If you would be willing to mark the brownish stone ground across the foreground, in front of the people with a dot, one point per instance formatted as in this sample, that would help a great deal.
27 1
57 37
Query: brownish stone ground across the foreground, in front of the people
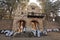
50 36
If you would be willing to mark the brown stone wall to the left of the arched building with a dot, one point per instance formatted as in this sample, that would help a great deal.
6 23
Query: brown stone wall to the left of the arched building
6 24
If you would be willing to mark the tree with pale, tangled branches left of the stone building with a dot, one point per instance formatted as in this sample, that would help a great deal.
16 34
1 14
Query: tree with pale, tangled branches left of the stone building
8 5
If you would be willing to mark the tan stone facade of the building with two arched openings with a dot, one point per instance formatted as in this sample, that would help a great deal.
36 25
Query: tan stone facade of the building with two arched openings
23 15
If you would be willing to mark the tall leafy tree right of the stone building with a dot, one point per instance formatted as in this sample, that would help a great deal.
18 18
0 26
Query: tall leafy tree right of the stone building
51 7
